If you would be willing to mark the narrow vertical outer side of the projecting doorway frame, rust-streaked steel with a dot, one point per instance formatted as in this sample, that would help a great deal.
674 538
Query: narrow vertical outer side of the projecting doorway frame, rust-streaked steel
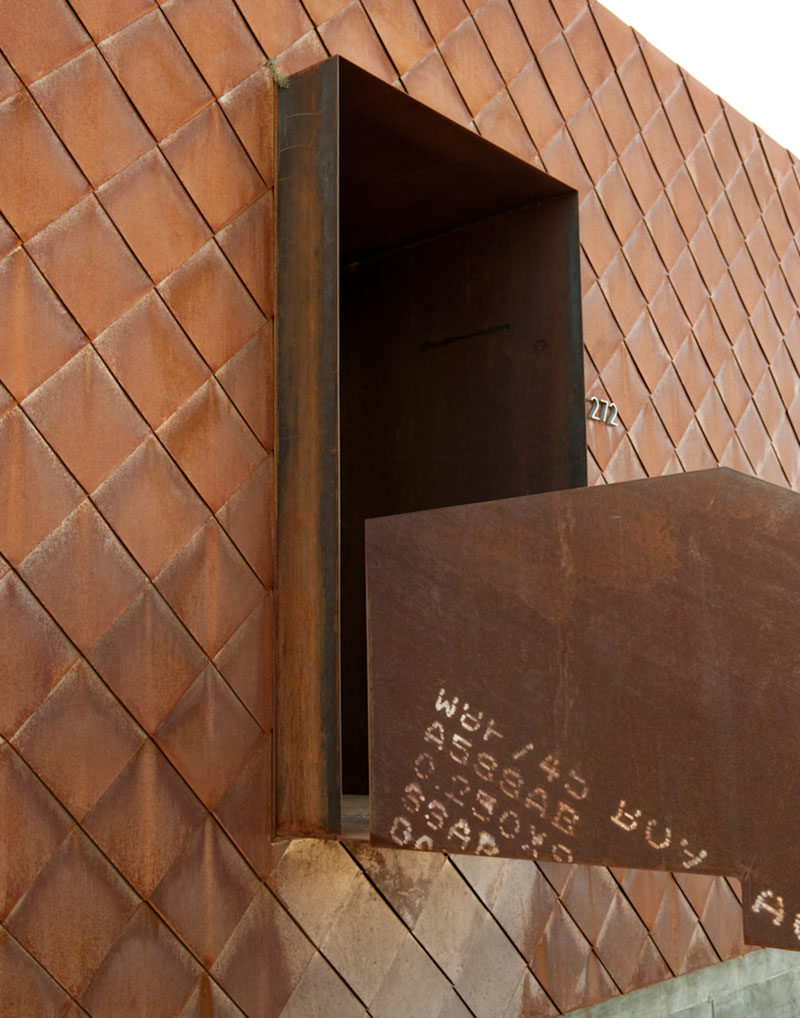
308 768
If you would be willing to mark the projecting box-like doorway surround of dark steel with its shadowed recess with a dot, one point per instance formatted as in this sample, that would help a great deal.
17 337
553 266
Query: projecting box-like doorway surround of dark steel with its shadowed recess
430 355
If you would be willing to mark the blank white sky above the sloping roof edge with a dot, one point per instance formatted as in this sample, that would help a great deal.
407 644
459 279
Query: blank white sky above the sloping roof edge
747 51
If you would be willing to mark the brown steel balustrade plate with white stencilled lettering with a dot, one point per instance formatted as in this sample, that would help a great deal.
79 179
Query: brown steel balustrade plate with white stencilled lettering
606 675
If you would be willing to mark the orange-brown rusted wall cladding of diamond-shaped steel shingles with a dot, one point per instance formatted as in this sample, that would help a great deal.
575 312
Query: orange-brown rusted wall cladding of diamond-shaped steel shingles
137 486
